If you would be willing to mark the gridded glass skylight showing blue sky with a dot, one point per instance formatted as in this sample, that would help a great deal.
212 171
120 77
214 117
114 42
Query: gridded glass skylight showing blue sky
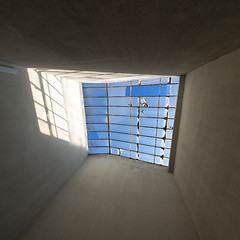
132 119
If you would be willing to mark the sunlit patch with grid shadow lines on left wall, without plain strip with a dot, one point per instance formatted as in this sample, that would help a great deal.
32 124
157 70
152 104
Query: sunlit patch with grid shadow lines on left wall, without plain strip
49 104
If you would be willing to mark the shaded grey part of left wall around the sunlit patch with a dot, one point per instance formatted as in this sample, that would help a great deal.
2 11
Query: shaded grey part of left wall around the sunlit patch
33 166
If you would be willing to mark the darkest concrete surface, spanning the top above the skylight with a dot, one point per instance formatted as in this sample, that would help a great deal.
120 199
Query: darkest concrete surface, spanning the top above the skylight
143 37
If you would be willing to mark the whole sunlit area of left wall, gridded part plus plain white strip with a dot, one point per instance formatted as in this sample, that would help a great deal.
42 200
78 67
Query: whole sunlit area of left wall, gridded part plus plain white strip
59 107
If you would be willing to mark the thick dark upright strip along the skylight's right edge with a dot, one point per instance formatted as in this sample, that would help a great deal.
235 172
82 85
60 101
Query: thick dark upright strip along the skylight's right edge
177 123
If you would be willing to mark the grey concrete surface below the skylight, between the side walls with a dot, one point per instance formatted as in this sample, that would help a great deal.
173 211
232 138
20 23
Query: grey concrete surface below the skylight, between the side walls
111 197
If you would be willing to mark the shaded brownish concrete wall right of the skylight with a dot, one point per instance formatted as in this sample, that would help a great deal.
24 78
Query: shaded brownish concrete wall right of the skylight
207 161
